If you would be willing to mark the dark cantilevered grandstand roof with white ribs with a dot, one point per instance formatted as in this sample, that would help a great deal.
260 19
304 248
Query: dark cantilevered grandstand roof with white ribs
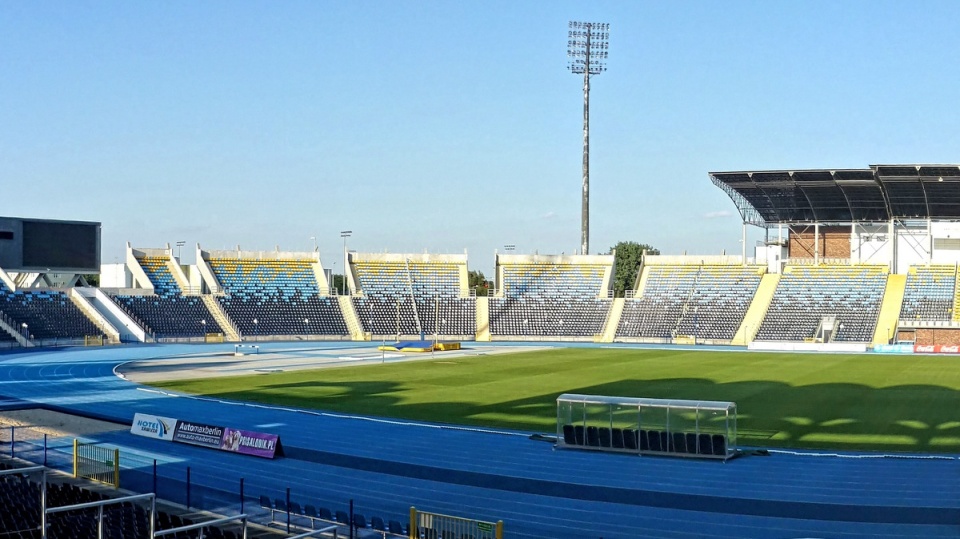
878 193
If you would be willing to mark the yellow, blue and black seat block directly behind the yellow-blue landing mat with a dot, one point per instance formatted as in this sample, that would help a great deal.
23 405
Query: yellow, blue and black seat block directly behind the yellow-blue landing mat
384 305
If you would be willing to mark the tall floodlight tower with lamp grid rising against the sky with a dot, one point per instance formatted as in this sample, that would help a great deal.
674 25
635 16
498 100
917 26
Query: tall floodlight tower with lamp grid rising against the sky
587 44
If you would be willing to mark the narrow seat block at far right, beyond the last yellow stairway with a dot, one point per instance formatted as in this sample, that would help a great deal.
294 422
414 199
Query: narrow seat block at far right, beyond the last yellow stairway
929 293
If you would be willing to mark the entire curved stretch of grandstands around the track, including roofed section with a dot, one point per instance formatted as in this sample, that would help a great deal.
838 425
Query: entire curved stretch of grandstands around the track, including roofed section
854 257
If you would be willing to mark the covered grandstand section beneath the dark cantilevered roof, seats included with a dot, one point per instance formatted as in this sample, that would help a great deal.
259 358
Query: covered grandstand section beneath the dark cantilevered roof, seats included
860 255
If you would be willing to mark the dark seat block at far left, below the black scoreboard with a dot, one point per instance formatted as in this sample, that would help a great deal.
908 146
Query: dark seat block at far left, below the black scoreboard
49 314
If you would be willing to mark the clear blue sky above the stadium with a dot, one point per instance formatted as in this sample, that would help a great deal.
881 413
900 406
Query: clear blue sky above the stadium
445 126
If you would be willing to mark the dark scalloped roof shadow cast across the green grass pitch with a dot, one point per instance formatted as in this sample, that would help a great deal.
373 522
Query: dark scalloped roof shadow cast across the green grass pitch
840 416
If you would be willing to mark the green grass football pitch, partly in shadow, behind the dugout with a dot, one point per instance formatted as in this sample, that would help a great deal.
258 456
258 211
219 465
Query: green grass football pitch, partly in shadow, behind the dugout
804 401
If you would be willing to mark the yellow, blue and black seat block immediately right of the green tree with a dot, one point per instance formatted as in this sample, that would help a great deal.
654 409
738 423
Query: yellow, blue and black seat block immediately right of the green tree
707 301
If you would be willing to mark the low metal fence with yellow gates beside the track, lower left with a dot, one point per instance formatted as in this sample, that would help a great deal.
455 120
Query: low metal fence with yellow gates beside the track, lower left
255 499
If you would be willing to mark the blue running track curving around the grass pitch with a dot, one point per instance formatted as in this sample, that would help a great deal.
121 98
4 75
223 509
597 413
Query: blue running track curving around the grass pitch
386 467
